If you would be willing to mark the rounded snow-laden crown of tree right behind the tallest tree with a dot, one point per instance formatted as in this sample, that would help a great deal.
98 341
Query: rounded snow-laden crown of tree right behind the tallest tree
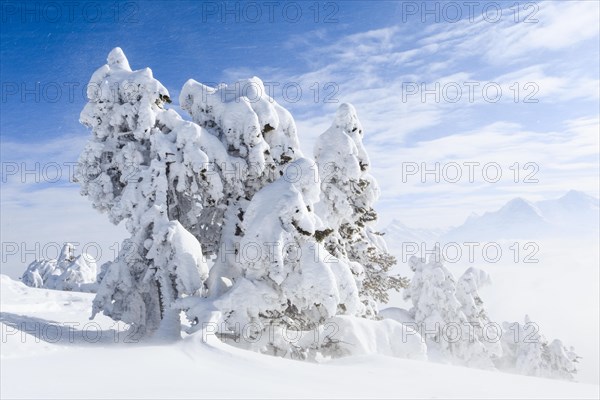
253 126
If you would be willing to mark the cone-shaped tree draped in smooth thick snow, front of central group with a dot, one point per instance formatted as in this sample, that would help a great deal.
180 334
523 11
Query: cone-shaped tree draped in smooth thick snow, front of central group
288 280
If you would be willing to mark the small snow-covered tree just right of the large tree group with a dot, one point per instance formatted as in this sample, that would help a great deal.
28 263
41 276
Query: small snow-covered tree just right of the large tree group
439 316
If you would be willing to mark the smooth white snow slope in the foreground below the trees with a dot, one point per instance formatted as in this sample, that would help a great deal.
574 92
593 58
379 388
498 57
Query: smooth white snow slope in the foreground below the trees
48 364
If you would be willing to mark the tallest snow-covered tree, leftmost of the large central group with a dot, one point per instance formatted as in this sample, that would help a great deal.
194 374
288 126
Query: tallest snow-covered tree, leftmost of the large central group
143 165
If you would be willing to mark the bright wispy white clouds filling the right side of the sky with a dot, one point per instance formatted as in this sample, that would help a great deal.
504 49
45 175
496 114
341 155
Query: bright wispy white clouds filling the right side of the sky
553 62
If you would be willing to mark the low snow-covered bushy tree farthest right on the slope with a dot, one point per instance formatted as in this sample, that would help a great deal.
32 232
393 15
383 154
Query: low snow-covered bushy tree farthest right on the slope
526 351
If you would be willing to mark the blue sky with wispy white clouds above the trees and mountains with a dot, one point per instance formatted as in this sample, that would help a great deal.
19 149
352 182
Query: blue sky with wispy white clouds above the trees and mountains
372 54
